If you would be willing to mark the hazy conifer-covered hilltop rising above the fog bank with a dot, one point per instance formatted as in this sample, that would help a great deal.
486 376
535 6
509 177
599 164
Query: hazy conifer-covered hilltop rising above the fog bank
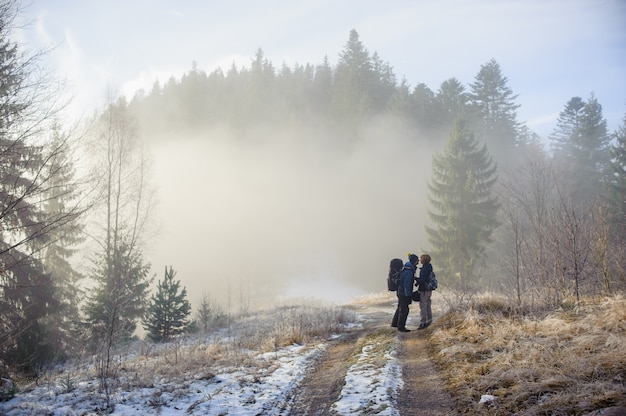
340 101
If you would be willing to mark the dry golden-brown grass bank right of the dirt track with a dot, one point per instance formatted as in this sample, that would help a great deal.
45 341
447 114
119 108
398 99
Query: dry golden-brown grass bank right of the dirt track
568 362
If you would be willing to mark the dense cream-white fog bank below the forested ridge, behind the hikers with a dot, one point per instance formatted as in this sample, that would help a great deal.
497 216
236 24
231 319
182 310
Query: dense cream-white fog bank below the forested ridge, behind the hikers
255 221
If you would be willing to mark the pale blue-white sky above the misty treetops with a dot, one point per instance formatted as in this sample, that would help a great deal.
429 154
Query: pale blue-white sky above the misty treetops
550 50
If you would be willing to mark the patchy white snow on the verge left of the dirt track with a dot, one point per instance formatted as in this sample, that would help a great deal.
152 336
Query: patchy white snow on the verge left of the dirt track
242 392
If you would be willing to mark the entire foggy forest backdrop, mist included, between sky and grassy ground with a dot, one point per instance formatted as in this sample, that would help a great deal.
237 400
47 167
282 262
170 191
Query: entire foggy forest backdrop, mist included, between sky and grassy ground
257 185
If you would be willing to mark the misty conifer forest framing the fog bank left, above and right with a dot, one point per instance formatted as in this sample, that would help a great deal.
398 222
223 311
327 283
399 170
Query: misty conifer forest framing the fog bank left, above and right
505 213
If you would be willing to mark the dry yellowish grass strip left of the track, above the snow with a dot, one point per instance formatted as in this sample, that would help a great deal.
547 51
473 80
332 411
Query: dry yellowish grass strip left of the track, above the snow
196 356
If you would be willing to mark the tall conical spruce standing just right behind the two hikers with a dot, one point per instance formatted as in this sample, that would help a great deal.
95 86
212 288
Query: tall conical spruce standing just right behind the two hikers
463 209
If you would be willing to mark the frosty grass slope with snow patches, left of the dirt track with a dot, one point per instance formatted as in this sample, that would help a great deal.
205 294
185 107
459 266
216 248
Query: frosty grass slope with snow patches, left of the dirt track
247 369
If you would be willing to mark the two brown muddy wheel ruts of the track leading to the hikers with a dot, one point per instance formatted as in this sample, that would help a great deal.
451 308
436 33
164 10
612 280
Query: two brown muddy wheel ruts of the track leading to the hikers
422 392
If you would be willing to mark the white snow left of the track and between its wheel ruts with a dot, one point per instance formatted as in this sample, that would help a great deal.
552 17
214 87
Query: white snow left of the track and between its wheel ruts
265 387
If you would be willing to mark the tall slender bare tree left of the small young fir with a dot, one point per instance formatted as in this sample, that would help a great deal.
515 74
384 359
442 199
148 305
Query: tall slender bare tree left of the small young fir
120 229
